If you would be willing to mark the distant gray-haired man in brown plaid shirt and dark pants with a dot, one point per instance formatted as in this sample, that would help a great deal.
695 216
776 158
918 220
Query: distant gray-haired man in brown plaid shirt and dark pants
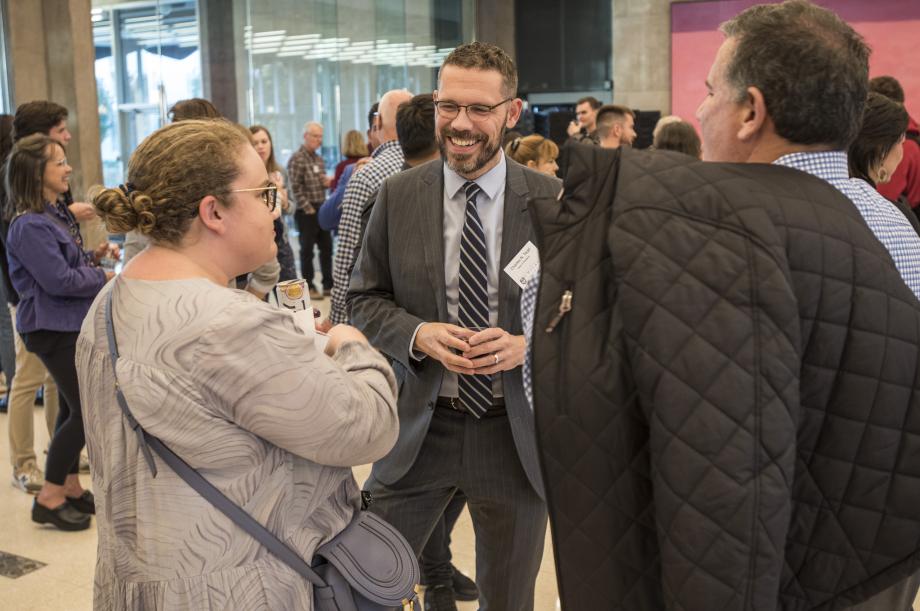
307 173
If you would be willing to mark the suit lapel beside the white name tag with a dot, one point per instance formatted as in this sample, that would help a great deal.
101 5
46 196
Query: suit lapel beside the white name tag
515 233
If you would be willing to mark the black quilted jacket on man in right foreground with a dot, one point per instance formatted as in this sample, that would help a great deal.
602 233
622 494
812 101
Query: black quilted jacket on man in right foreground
728 416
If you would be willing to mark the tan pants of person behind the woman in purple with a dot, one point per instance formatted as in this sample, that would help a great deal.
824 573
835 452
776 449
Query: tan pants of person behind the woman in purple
30 375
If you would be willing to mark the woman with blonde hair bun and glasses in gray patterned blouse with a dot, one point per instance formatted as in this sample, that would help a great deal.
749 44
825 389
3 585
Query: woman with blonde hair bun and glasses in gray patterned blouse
230 384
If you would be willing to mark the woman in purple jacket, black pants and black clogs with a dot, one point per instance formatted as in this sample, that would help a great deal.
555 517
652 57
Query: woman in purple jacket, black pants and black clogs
56 280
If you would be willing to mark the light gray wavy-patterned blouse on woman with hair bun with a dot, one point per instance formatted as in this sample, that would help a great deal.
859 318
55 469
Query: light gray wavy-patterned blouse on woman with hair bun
235 389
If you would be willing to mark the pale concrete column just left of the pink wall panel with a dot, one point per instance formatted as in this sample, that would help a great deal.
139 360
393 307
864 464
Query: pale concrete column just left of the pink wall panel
642 54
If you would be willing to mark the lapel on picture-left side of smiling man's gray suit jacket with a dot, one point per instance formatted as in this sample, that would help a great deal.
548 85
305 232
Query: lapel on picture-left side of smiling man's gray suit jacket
430 196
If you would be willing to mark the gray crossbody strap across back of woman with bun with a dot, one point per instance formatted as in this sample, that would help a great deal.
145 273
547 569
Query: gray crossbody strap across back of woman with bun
196 480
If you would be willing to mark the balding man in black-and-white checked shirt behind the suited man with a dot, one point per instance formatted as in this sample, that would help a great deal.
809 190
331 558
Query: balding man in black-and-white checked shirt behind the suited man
386 160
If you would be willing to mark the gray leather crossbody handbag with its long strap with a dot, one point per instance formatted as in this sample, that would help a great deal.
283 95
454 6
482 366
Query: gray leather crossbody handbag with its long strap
369 566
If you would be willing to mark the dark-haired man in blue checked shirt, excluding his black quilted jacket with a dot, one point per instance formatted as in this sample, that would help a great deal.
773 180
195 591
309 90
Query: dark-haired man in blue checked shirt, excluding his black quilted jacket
814 114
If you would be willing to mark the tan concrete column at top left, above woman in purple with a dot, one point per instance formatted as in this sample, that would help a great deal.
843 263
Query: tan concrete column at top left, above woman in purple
52 57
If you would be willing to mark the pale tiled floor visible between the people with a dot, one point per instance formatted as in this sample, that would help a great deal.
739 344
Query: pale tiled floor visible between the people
65 580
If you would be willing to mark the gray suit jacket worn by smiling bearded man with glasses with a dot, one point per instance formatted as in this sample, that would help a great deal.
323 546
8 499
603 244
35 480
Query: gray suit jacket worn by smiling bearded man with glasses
398 283
